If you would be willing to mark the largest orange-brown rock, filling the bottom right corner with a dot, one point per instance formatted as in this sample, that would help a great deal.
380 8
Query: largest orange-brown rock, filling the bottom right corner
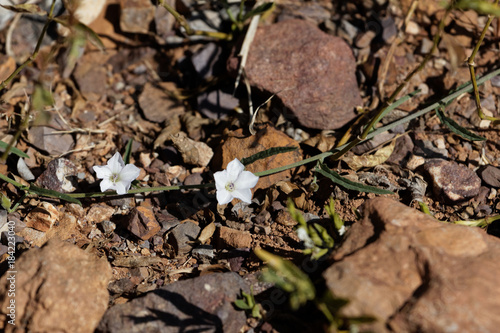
416 274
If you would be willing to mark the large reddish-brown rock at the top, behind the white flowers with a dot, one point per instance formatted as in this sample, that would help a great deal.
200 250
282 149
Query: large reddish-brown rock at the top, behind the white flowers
313 73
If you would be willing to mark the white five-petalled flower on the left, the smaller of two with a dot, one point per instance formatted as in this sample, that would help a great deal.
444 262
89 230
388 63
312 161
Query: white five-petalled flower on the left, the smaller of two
116 175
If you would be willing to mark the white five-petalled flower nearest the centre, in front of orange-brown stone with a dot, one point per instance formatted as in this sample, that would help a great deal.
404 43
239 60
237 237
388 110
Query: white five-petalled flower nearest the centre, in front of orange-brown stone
234 183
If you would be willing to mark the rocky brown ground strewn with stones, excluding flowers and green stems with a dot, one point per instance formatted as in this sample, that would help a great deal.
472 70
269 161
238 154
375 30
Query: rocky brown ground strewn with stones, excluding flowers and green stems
176 261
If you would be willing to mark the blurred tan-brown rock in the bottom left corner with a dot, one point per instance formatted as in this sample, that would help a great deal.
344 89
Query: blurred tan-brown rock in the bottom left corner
58 288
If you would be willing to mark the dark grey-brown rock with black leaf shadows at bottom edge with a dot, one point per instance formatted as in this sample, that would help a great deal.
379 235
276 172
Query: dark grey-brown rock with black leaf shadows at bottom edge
202 304
